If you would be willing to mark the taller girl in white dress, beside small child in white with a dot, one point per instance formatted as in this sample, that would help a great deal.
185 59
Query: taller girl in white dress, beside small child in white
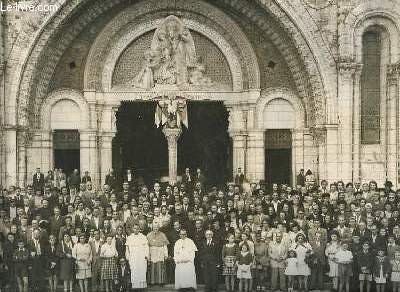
303 251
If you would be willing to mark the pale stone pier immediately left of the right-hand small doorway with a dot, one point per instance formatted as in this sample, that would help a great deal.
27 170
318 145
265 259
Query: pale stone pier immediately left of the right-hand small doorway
255 155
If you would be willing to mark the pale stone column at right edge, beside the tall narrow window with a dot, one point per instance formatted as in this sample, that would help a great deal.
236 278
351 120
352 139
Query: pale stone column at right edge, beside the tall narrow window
392 122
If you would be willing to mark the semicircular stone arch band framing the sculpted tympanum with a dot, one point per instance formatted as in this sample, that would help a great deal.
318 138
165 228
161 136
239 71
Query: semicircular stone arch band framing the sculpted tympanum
202 18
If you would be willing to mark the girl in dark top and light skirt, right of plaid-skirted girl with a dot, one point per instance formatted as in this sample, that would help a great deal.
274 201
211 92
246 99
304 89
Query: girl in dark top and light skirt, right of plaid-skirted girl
244 261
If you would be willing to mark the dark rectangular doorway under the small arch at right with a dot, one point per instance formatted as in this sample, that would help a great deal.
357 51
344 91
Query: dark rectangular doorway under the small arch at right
278 156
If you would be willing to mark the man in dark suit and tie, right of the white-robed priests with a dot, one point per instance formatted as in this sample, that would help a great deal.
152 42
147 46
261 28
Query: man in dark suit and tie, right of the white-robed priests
210 262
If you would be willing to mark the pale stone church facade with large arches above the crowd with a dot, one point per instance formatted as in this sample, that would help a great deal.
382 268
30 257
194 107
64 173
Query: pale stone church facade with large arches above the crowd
325 73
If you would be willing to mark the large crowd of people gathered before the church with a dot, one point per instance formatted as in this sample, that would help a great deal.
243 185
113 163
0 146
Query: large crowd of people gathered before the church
245 236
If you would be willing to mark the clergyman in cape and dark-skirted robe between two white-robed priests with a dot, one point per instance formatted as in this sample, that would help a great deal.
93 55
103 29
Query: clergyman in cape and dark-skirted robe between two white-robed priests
158 254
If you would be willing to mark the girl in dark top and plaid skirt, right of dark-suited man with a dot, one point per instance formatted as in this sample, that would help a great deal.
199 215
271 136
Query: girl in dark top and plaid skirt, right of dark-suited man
229 254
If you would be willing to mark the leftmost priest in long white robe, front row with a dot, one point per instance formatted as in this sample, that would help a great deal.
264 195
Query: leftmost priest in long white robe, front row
137 254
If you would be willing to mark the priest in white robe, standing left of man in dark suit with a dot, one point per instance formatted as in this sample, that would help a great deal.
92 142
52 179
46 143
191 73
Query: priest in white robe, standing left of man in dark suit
184 253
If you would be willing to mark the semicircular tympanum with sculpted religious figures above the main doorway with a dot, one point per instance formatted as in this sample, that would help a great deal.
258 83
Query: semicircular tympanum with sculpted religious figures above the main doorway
172 56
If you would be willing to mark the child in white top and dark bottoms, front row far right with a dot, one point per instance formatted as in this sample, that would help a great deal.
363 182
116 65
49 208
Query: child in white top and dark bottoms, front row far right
344 258
